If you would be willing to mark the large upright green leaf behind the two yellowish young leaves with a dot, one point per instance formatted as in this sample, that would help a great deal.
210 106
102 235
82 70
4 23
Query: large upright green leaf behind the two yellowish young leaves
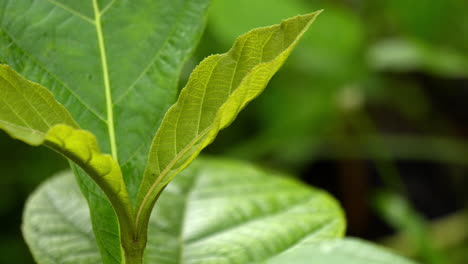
115 66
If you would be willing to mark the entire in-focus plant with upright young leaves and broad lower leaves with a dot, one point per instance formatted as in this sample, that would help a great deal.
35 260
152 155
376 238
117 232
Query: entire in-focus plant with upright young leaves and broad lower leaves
111 69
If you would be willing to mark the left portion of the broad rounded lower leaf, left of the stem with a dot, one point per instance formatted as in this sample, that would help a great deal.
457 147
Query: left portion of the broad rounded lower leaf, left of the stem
57 225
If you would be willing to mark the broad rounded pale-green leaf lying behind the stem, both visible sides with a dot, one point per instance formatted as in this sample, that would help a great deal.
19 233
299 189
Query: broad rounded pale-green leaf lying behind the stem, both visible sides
215 211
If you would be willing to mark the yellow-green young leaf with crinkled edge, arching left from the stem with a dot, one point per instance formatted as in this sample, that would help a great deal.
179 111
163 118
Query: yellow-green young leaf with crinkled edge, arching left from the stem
30 113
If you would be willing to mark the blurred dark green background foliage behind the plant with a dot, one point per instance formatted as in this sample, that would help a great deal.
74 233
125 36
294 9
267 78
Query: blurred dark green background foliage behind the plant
371 106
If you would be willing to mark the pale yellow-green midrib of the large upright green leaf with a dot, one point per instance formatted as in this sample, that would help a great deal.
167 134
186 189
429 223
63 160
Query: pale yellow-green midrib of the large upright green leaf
105 73
